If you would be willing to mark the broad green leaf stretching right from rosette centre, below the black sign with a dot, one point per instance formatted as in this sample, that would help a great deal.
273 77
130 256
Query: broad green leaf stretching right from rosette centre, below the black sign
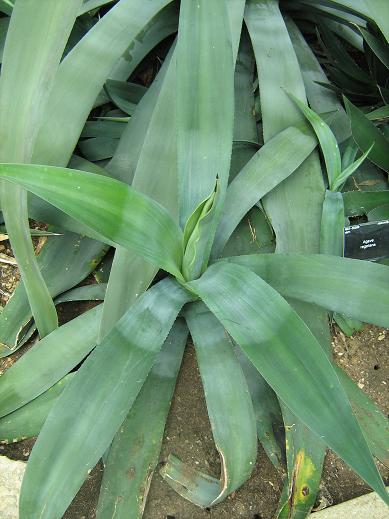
357 288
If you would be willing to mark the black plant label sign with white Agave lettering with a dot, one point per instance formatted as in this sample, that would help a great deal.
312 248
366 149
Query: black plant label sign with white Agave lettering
369 241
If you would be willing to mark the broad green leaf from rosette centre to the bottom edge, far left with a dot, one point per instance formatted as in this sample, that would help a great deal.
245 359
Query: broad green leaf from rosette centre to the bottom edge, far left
92 407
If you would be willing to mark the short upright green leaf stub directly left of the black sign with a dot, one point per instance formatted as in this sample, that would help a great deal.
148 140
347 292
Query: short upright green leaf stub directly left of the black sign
332 224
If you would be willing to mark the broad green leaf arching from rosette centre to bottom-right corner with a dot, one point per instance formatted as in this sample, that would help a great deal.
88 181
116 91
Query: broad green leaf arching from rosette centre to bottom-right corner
271 334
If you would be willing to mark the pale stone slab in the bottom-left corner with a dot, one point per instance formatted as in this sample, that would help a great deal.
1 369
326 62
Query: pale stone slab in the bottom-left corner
11 475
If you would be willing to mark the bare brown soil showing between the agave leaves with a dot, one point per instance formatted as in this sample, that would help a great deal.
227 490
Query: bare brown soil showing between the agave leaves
365 357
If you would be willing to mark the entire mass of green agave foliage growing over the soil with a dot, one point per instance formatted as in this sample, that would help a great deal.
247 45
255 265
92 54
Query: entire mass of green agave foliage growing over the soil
183 176
